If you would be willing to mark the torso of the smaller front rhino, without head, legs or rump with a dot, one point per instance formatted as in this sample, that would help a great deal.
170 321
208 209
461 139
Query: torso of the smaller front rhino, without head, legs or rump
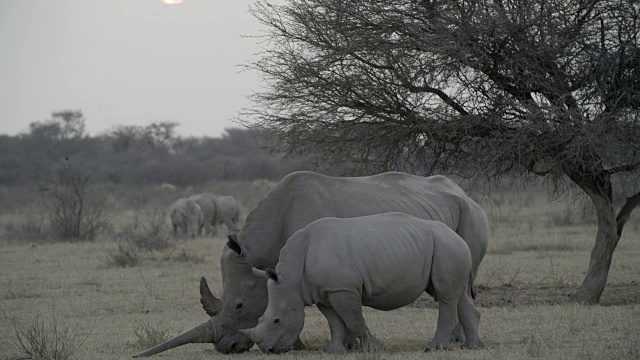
387 257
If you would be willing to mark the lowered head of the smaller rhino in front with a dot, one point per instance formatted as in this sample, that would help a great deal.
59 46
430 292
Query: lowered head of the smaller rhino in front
282 322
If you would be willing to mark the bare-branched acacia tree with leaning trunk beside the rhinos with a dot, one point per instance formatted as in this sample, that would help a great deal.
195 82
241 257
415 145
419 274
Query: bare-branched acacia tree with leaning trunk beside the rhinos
545 88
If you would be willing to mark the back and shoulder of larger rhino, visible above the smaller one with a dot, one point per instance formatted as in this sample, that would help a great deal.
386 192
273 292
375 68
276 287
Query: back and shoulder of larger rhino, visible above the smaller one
303 197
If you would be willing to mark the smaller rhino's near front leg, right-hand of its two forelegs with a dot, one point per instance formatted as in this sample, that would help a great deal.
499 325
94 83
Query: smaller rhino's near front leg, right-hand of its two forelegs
348 306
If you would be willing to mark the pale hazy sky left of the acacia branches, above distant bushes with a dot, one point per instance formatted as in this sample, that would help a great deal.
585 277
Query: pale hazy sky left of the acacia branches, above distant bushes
126 62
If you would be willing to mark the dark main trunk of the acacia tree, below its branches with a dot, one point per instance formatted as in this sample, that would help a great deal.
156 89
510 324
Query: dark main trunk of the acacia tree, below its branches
602 253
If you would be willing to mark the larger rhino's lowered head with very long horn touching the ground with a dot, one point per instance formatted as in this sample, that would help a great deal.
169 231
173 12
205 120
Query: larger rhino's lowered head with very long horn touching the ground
244 299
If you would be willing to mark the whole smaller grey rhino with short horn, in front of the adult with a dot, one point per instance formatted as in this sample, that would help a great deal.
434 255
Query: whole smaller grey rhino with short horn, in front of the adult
382 261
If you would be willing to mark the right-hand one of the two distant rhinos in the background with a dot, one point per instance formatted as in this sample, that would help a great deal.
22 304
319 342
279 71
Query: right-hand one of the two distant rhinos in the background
218 209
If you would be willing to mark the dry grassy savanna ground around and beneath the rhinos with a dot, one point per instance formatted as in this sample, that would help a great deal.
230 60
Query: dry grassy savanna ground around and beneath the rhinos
538 255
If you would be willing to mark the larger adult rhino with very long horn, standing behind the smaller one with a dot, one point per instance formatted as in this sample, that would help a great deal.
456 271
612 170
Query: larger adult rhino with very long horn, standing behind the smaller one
296 201
